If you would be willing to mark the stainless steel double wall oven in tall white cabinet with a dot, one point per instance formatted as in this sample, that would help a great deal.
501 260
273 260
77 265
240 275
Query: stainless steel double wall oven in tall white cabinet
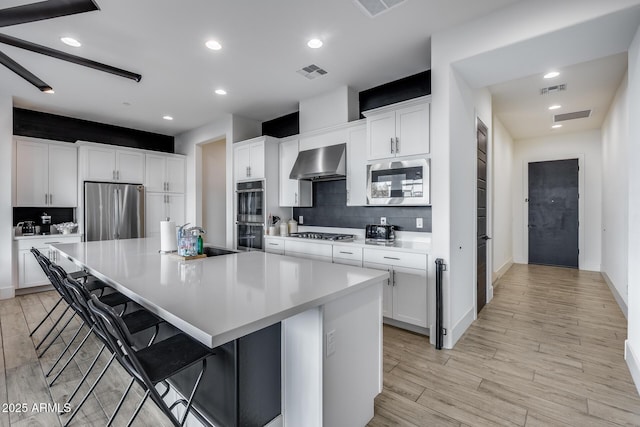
250 215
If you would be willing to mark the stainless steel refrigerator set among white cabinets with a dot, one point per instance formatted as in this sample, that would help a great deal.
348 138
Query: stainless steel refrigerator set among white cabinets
113 211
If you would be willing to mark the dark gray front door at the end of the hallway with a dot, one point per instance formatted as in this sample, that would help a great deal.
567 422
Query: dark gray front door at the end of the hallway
553 213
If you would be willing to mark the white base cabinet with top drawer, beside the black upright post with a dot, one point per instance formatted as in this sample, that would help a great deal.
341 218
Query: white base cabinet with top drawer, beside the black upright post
405 295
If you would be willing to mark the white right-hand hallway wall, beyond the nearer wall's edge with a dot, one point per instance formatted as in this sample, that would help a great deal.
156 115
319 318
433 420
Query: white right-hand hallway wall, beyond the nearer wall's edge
615 200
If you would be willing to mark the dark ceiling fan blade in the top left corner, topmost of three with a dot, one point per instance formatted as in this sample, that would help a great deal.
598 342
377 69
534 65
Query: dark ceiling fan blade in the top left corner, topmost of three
44 10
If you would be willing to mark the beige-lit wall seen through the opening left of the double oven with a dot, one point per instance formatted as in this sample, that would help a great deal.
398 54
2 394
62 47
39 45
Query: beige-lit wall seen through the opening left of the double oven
214 187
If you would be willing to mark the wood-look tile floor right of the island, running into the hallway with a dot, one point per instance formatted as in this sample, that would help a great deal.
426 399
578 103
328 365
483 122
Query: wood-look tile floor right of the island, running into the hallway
548 350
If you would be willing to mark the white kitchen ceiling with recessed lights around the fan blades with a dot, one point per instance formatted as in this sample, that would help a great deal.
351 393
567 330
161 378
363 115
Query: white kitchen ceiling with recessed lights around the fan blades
264 43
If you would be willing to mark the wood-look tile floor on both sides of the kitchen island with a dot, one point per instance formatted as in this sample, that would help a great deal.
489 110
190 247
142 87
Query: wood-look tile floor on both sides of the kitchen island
547 351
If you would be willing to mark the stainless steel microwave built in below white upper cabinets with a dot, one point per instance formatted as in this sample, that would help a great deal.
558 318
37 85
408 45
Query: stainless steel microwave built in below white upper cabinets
403 182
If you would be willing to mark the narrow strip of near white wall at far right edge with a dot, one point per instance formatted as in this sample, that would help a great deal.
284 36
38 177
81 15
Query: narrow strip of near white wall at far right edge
632 353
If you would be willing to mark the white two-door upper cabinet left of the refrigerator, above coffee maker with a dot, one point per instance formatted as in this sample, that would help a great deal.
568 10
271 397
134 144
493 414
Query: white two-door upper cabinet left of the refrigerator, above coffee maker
46 174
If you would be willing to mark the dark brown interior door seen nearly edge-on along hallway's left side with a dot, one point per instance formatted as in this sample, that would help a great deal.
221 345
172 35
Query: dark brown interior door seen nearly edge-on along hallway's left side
481 217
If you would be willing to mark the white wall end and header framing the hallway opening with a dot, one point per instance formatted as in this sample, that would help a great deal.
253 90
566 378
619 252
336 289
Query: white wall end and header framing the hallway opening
453 122
